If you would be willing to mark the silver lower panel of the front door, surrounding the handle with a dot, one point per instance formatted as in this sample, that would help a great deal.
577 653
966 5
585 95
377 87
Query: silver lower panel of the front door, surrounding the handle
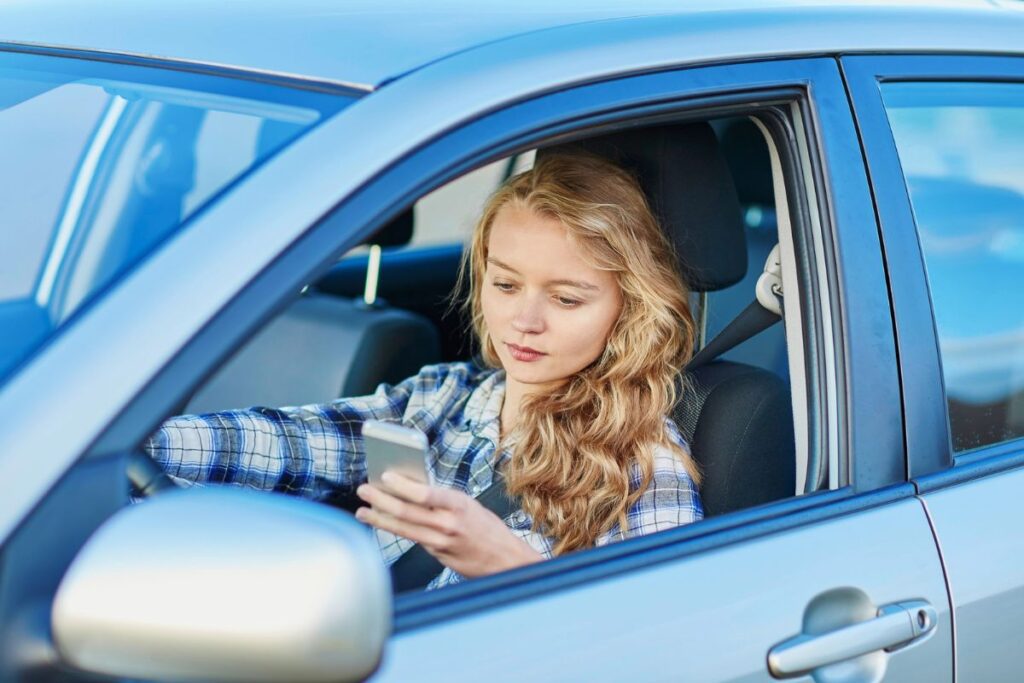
710 618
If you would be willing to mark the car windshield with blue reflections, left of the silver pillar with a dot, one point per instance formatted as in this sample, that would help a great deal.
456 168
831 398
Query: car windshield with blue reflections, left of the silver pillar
100 163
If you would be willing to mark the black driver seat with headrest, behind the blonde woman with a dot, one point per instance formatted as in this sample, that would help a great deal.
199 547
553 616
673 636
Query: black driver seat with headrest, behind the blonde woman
737 418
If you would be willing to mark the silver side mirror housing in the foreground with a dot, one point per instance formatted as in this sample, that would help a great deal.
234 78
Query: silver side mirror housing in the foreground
226 585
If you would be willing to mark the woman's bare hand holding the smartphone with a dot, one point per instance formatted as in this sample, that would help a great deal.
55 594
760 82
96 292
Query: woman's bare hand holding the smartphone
451 526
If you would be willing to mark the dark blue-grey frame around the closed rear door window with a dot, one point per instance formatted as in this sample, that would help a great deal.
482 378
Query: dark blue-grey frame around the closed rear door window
931 460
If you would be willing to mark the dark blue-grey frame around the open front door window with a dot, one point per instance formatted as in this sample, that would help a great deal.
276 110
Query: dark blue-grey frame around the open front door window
863 353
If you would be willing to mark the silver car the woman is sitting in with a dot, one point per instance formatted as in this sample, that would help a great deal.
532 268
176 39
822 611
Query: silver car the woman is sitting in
211 206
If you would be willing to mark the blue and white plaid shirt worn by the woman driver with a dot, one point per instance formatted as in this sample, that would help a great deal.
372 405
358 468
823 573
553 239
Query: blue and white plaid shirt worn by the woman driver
315 451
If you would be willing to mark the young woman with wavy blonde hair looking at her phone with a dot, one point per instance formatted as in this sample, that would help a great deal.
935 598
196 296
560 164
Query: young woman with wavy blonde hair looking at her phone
583 326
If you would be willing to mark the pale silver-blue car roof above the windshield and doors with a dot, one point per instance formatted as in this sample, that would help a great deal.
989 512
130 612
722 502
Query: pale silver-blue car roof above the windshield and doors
365 45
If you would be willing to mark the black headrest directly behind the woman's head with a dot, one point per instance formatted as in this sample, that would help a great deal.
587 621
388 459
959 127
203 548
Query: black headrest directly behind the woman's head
691 190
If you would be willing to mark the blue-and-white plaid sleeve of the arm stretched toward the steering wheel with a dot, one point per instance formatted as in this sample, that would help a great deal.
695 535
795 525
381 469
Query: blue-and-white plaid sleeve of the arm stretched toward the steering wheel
309 451
